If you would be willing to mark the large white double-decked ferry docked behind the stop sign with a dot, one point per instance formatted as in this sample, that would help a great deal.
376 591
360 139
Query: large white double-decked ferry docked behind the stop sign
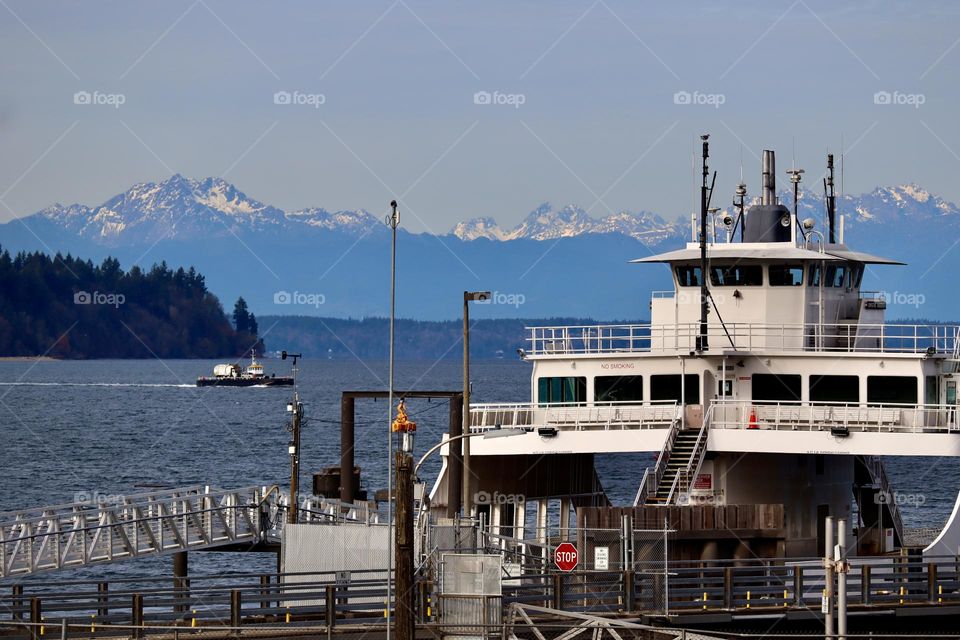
766 391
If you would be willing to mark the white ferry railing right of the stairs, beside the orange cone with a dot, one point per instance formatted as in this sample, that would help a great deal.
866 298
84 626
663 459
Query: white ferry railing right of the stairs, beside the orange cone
820 416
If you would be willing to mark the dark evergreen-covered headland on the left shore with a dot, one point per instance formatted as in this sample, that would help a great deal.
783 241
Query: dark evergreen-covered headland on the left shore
67 307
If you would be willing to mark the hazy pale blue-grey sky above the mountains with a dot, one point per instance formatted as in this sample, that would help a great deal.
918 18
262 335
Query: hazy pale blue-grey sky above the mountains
598 122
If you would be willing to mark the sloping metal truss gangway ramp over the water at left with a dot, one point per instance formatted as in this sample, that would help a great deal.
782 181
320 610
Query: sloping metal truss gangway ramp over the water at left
126 527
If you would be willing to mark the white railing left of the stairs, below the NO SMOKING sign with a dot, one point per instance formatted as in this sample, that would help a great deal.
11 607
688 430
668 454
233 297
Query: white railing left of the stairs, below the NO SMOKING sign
574 416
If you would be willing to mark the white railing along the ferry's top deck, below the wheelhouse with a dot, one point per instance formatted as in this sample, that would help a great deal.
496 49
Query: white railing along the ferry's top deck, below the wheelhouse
644 338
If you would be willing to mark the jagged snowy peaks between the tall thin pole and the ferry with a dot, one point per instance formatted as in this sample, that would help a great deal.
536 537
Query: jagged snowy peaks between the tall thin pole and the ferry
543 223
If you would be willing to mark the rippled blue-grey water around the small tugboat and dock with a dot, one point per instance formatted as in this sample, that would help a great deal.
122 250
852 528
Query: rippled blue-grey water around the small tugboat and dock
115 427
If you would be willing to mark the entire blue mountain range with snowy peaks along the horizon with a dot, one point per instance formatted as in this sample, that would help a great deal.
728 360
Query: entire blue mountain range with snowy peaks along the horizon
556 261
